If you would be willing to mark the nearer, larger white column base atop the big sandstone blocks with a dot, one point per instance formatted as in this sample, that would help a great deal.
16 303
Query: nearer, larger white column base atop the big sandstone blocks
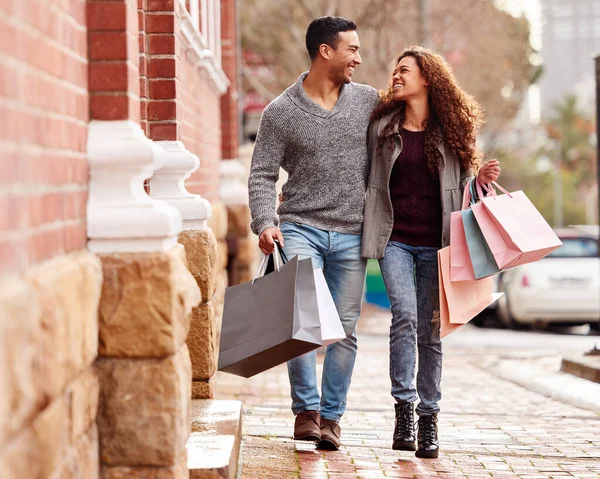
121 217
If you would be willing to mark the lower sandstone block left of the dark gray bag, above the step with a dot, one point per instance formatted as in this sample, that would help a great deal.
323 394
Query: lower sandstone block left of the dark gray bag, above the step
202 341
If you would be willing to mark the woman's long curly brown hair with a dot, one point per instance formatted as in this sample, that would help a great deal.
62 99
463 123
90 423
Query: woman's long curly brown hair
454 115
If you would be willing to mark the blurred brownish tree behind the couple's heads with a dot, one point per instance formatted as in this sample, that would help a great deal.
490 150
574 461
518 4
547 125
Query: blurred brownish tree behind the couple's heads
488 48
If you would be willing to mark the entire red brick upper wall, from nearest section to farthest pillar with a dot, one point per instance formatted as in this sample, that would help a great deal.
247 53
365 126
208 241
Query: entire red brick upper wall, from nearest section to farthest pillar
55 76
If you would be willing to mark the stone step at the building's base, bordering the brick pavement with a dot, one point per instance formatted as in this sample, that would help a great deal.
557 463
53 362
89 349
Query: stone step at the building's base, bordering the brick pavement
214 444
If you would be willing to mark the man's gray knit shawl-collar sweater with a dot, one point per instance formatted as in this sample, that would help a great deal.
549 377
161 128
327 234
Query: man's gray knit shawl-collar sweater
324 153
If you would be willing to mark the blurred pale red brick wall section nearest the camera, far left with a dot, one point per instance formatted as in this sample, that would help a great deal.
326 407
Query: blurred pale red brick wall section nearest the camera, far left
43 130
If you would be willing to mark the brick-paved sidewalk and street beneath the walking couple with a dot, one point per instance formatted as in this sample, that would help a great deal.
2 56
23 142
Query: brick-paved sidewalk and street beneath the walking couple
490 424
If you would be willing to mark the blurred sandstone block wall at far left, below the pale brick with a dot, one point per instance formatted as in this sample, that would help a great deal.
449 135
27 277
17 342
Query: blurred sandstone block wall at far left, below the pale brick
48 343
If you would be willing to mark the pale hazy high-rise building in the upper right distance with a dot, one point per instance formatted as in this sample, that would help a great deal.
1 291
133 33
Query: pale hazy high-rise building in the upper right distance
571 37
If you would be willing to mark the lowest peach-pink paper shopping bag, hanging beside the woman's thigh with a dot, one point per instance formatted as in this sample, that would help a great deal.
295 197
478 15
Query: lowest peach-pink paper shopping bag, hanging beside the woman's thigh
463 300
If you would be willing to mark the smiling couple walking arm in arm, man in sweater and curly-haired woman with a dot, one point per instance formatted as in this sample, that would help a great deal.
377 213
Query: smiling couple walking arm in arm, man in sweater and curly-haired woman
370 176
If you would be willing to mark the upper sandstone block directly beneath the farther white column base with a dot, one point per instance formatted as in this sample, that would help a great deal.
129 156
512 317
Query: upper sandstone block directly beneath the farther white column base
202 256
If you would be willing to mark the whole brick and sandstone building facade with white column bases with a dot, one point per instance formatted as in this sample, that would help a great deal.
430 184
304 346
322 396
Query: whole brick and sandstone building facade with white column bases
120 188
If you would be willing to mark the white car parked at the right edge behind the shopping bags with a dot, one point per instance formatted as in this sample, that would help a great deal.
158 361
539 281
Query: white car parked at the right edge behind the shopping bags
563 288
